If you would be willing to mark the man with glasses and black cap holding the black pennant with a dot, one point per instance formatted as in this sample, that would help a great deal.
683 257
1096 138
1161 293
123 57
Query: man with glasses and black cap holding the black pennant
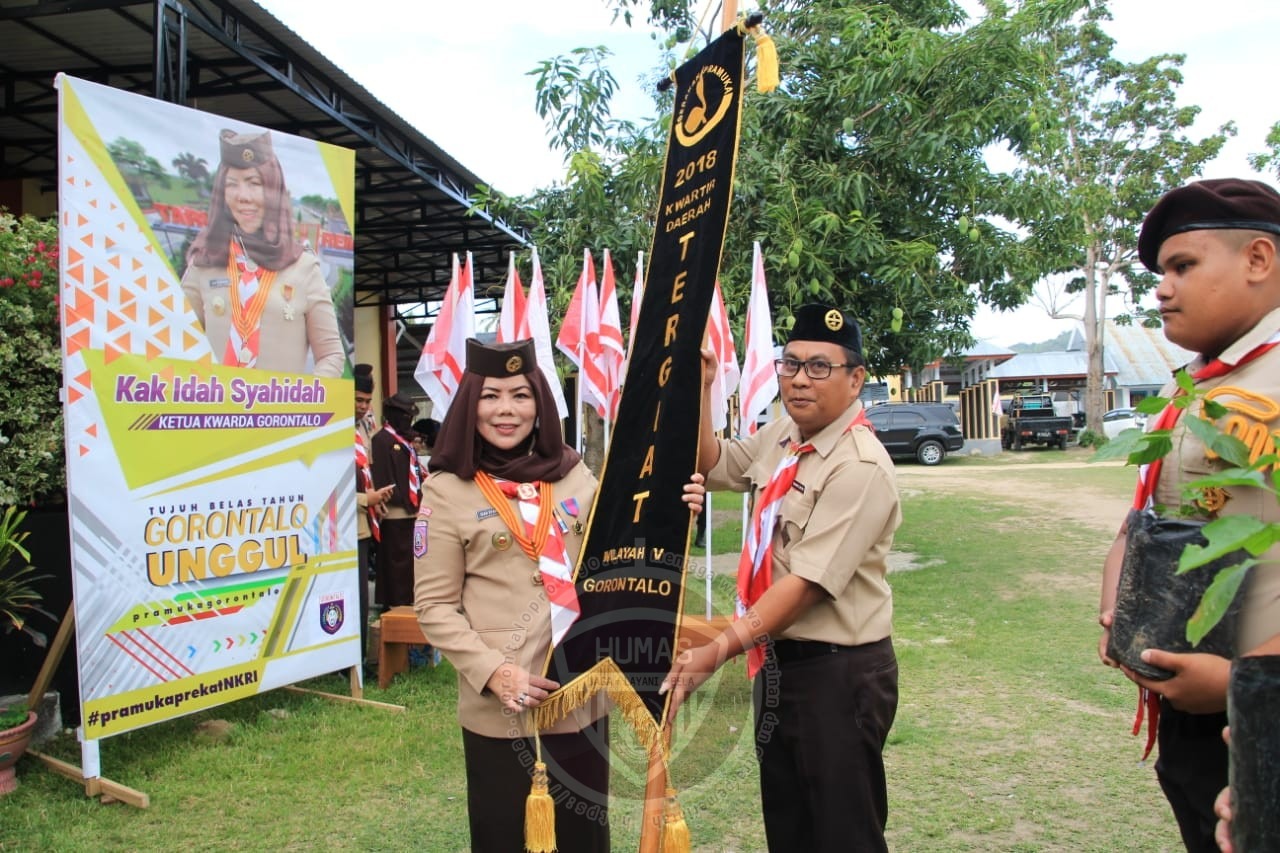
815 608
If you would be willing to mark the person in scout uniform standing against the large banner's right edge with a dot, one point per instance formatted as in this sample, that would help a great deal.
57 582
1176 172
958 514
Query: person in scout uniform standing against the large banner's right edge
396 464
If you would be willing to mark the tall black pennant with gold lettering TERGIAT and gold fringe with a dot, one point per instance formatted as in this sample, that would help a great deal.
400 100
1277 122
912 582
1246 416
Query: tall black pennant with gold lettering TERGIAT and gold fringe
632 572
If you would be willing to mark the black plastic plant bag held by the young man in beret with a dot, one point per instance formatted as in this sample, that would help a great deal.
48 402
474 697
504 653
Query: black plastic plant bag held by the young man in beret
1154 603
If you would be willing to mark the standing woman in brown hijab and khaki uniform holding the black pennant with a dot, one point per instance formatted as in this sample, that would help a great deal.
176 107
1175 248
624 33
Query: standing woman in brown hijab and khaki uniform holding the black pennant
501 524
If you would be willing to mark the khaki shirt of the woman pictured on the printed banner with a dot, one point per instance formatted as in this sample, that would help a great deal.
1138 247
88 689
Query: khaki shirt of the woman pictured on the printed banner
290 327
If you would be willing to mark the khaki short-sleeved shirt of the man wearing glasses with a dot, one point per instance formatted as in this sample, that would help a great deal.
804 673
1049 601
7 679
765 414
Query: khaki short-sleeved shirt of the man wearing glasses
835 527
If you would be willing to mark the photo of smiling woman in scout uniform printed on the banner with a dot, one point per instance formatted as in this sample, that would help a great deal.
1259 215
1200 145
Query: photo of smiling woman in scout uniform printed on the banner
257 290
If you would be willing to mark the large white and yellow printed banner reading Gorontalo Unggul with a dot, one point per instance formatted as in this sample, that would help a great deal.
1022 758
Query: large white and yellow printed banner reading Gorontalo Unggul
207 294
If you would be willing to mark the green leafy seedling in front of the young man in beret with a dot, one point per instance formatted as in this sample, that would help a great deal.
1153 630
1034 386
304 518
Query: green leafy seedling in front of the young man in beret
1228 533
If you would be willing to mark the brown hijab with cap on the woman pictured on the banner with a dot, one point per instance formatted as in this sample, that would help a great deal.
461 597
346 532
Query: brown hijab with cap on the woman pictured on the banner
273 245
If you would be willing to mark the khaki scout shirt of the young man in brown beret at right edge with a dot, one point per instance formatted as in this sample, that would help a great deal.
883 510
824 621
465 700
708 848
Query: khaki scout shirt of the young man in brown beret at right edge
1252 396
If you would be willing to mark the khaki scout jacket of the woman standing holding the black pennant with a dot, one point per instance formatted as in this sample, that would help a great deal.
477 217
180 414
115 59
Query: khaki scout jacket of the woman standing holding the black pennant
479 597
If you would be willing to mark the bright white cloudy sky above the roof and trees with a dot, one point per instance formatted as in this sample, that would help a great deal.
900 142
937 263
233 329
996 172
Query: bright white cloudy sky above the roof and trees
459 72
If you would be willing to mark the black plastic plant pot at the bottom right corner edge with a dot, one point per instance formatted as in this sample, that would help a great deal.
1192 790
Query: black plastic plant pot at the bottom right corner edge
1254 709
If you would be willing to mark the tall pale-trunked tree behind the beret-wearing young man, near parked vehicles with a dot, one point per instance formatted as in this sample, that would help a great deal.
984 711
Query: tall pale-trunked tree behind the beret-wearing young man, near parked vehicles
1100 144
